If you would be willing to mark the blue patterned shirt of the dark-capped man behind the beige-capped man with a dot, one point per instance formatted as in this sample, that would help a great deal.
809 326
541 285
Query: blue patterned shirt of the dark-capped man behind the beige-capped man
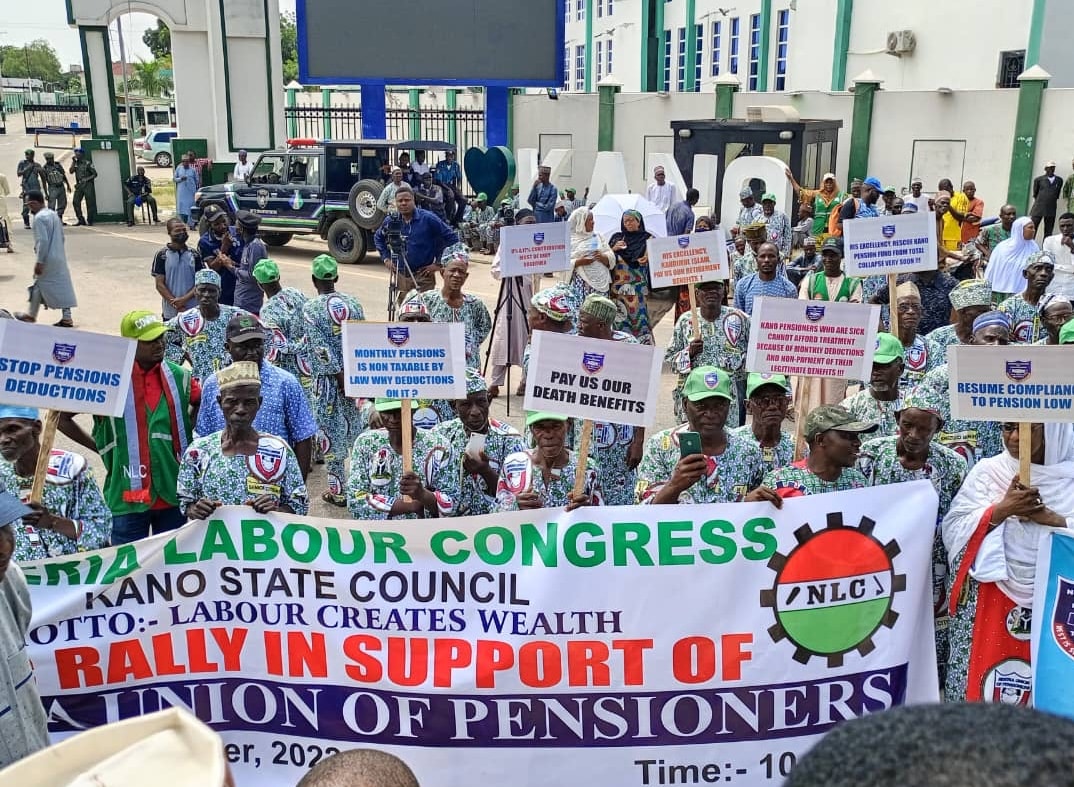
285 410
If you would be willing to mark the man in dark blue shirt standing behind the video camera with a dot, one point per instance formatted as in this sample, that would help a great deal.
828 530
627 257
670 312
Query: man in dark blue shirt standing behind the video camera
420 239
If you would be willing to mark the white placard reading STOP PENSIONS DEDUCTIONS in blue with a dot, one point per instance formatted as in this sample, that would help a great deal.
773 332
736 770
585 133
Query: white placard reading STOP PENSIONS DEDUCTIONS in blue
60 369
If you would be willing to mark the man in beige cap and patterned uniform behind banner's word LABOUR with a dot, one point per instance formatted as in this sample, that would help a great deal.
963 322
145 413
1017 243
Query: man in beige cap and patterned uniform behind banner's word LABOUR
239 465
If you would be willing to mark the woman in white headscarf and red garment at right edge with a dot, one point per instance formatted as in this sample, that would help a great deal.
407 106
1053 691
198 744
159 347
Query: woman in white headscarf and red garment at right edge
993 535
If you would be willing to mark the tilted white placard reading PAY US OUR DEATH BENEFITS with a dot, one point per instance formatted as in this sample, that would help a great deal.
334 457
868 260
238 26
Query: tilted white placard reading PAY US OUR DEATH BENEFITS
597 380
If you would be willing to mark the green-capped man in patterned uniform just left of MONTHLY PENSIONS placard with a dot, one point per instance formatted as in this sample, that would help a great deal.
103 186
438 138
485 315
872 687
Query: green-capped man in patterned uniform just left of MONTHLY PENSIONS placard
337 415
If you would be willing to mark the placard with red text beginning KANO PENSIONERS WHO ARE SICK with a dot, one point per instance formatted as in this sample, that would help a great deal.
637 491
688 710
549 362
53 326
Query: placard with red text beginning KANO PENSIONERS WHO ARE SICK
814 339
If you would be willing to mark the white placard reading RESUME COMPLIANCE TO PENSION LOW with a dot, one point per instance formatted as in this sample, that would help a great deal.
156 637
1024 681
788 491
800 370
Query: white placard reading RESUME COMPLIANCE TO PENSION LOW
1018 383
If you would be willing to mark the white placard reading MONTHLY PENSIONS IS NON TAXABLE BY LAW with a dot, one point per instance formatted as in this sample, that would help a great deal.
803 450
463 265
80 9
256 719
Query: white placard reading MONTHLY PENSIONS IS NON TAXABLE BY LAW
405 361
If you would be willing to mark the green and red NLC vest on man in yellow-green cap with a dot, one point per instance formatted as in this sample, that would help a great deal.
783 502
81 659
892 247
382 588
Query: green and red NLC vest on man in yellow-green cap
142 450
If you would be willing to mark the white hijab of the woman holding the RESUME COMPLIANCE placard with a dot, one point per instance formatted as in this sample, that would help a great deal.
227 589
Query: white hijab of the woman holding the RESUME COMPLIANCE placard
1008 556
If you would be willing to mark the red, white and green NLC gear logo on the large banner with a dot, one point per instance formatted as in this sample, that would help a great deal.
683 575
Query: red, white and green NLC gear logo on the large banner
834 591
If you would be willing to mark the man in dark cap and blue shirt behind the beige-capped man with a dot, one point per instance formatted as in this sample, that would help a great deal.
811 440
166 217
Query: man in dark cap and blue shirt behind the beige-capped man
285 410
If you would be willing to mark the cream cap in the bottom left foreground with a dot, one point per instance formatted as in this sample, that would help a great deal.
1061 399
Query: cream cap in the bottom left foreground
170 749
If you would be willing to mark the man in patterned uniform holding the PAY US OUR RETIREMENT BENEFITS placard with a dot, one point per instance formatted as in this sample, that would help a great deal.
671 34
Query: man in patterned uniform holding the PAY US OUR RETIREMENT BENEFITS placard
725 338
